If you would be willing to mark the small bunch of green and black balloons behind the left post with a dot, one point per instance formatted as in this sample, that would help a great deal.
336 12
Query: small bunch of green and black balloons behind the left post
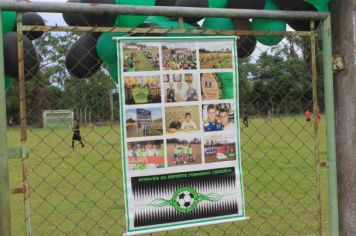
31 57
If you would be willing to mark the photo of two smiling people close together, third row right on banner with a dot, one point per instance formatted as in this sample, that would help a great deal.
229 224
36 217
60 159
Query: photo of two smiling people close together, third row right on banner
218 117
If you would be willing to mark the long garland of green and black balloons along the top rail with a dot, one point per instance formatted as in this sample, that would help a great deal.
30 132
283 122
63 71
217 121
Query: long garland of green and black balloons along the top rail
86 56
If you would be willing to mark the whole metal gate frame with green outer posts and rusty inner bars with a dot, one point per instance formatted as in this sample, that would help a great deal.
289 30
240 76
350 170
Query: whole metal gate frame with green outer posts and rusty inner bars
19 7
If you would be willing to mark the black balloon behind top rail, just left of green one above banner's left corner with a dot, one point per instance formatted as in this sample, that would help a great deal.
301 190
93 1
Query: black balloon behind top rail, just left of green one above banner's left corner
101 19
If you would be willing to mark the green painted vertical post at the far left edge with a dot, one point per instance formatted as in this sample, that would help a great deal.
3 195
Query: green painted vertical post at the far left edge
5 216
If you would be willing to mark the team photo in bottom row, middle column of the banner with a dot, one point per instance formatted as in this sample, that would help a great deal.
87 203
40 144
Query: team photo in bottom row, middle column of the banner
183 151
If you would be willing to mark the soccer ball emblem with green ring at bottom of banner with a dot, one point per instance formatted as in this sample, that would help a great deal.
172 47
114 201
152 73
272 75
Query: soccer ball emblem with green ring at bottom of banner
185 199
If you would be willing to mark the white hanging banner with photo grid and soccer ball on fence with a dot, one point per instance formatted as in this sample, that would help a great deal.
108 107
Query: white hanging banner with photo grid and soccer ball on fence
180 132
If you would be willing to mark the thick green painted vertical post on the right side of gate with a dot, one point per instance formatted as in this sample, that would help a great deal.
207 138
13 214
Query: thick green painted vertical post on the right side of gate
330 127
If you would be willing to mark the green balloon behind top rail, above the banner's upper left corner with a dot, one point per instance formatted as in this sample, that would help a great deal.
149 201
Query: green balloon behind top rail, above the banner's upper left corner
132 20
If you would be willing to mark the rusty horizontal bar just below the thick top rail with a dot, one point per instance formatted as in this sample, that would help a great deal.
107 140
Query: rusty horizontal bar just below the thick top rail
160 30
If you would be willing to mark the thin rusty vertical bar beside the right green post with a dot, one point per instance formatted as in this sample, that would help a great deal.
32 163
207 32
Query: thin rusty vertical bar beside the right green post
316 127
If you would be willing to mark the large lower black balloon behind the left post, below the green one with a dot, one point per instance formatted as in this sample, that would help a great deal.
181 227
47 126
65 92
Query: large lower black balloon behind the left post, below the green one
31 58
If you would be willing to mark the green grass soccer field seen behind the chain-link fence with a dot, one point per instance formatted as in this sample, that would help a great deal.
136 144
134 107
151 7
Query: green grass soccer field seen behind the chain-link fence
79 192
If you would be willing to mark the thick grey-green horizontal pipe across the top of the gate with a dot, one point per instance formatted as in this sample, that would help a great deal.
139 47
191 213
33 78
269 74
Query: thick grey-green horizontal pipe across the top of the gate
99 9
